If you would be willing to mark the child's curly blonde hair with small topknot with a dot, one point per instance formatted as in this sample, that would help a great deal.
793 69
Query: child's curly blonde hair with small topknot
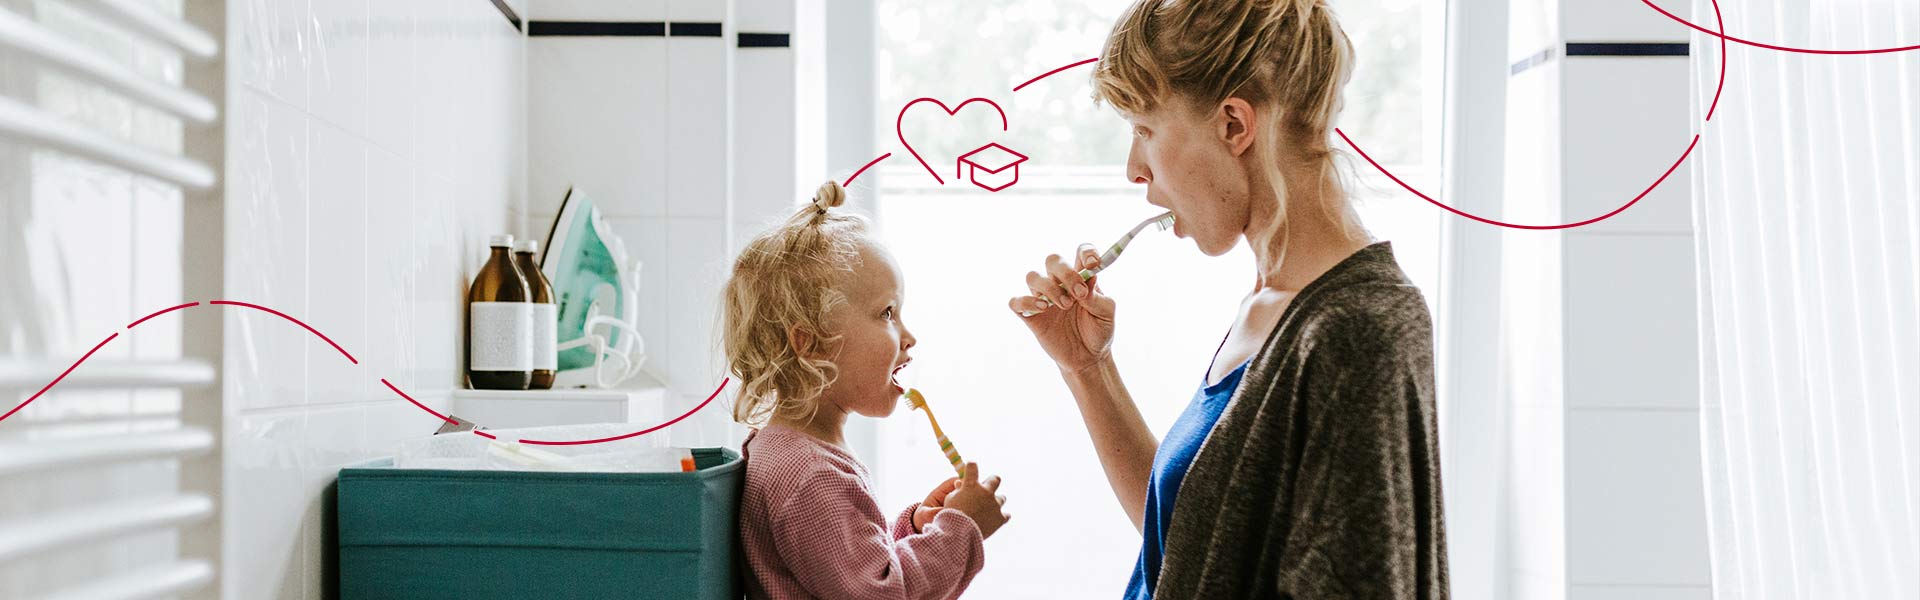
788 278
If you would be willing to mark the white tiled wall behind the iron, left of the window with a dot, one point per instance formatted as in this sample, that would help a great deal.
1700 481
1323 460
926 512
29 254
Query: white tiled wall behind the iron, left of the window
688 145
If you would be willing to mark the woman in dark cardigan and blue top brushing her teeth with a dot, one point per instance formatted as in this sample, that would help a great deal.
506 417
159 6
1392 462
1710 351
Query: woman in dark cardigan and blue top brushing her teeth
1307 466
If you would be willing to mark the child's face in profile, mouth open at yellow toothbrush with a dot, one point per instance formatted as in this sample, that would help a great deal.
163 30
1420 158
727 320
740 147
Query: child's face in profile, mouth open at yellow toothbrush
875 341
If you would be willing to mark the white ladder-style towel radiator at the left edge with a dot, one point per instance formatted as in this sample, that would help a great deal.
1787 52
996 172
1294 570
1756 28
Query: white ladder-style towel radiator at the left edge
110 482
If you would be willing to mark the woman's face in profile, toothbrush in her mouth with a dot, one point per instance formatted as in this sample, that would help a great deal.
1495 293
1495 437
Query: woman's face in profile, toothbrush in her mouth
1195 164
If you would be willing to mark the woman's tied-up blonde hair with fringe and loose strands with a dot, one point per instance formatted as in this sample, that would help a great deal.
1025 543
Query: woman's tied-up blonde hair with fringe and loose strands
1287 59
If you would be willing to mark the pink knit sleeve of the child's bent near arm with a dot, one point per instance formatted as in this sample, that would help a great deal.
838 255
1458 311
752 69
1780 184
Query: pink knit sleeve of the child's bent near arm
838 545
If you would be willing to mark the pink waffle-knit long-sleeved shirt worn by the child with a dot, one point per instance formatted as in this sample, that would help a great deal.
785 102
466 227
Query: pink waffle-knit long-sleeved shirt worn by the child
811 530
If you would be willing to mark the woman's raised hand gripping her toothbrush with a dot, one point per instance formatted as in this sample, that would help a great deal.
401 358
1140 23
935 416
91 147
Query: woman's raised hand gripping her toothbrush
1068 316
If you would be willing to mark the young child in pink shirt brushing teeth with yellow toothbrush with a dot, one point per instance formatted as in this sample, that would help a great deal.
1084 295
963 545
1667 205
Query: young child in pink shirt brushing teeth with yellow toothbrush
813 334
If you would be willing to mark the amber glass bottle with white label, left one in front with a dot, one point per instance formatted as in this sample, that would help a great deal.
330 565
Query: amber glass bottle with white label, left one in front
500 324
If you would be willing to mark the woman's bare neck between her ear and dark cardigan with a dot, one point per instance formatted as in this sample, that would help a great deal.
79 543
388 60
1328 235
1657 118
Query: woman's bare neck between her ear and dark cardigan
1308 245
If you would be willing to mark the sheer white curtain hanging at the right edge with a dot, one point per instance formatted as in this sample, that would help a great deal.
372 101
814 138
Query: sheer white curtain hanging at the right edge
1808 214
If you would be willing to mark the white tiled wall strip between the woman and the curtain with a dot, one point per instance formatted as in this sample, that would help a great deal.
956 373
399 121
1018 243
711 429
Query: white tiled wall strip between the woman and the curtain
1602 328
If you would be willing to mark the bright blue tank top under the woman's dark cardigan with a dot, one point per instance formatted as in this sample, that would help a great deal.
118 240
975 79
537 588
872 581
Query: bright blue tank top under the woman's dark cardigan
1170 468
